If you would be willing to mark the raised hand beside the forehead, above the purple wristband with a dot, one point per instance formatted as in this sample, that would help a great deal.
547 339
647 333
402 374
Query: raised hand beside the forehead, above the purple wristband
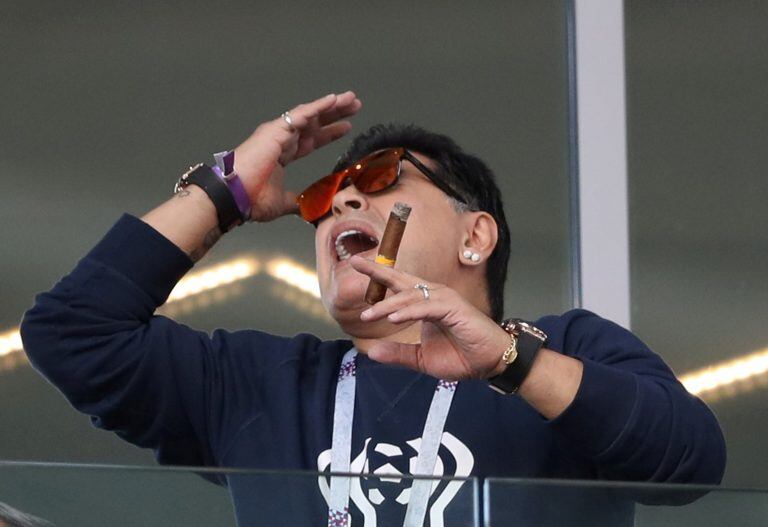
261 159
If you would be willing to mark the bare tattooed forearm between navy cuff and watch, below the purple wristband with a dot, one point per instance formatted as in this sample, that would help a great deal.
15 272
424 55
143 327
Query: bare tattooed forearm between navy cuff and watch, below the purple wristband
188 220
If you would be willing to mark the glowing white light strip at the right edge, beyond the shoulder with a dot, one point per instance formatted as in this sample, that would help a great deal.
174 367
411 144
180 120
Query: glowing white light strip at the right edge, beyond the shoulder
726 373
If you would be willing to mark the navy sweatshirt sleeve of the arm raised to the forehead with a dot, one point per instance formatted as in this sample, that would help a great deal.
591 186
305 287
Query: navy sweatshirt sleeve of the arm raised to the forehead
94 336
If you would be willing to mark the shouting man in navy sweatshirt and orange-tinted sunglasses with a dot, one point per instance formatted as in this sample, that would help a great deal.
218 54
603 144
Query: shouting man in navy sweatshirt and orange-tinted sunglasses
590 400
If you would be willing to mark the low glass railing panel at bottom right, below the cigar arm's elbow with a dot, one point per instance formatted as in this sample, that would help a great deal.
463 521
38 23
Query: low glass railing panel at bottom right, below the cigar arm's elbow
531 503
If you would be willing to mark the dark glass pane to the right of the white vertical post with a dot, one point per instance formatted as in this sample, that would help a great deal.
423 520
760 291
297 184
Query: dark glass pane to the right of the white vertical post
698 124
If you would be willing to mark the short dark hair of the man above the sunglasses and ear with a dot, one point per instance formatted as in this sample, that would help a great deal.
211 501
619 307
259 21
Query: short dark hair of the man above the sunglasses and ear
465 173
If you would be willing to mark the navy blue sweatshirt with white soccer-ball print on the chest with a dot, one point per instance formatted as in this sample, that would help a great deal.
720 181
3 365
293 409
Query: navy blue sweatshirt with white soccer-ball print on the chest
255 400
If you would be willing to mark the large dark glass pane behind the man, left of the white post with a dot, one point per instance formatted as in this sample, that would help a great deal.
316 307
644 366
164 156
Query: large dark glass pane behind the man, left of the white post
104 107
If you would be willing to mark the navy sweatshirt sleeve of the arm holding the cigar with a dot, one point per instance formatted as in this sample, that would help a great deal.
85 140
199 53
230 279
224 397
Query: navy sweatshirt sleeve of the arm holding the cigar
630 414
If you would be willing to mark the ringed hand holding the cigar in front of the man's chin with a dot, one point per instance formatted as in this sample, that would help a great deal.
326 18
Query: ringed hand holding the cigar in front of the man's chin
458 341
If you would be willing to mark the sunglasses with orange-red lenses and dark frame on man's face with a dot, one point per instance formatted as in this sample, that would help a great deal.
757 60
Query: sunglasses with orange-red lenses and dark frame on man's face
373 173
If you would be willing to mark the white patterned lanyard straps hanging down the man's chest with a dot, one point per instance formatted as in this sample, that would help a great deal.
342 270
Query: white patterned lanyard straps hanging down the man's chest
341 446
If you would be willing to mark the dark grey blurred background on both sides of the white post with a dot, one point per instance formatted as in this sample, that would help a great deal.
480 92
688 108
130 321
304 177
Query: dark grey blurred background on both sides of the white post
103 106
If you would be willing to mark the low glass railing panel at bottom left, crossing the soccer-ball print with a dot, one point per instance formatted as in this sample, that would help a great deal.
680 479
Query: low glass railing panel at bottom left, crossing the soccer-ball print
121 496
